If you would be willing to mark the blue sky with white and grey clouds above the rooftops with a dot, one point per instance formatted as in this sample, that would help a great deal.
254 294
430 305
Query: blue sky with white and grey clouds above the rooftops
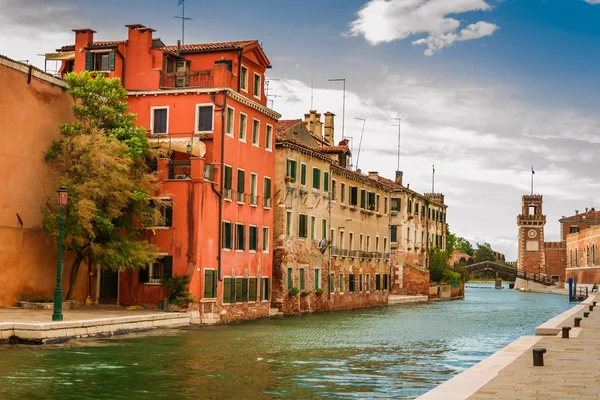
486 89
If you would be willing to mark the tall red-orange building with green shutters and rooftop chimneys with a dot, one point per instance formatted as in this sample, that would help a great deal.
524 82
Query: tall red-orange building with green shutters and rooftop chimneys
206 103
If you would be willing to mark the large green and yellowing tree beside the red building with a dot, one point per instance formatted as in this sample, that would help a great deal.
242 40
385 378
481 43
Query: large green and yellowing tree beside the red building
100 158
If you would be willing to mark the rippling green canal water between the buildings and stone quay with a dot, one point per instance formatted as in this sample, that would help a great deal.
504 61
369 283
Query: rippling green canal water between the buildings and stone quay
391 352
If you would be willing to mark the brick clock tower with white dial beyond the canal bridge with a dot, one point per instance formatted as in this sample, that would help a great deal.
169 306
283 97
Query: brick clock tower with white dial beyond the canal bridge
531 223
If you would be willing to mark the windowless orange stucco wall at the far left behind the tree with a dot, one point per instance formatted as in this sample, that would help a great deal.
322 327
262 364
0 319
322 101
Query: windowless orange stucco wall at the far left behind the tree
27 256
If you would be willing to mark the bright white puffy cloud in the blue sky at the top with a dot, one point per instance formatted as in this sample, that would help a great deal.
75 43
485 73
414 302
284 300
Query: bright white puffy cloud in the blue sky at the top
381 21
